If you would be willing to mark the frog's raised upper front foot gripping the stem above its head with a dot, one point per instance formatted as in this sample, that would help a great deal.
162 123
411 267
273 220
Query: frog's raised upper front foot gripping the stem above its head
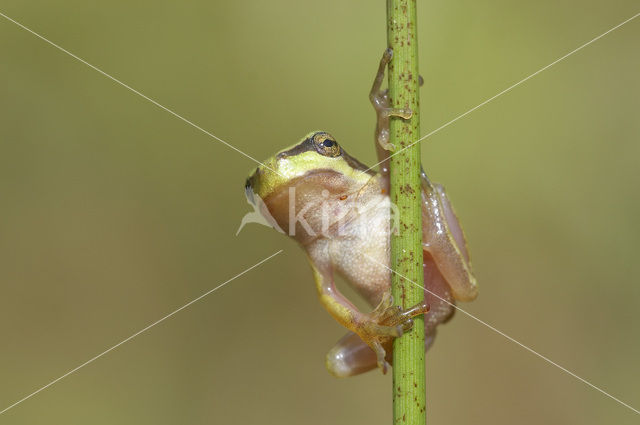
380 101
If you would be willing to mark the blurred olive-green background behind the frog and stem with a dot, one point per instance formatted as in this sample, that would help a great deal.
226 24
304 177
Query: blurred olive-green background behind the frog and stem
114 213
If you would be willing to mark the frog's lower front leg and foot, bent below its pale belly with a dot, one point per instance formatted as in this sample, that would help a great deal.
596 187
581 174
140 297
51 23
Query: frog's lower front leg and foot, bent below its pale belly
377 328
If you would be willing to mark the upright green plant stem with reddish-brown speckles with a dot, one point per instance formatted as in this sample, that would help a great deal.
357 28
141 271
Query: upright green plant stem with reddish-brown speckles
409 397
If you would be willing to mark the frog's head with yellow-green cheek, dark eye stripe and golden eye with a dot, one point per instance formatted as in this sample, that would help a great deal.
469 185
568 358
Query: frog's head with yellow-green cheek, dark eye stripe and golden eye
315 170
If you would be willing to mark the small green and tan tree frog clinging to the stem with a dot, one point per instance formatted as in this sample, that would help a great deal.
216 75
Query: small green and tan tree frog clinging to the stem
339 211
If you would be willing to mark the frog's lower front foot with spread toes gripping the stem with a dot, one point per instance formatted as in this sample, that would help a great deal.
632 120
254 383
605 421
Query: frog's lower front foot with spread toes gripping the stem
385 323
